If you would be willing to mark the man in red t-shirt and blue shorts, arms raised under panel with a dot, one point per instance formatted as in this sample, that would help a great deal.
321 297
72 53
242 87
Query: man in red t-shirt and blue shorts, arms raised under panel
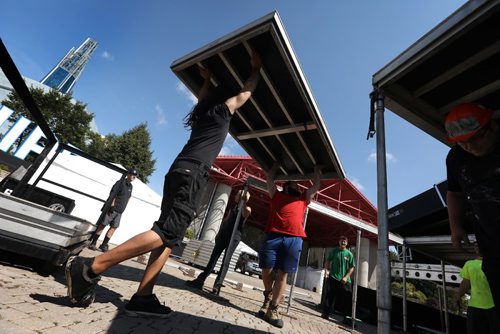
281 249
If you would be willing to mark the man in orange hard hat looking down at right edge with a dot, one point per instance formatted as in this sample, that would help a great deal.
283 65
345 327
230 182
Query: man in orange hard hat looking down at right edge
473 172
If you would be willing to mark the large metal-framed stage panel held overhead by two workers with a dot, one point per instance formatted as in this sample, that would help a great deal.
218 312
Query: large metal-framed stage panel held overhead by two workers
281 122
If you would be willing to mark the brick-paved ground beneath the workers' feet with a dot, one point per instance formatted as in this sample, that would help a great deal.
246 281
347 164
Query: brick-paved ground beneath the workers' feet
35 303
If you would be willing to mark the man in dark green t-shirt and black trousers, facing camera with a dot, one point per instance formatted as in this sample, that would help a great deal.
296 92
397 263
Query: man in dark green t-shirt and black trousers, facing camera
341 263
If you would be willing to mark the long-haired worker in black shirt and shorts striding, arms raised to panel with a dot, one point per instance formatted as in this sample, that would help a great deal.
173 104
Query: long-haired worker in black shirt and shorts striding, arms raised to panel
187 177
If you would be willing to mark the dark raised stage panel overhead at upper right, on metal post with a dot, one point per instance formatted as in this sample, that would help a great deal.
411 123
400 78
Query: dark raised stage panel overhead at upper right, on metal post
455 62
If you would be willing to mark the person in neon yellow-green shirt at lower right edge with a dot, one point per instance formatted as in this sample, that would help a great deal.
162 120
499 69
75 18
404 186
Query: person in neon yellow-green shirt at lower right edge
481 316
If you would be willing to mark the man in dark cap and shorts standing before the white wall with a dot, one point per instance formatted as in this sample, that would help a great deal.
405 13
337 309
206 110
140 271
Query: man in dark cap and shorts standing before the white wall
119 196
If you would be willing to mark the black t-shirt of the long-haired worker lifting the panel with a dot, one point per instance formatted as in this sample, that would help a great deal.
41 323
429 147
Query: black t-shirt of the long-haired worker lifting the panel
208 135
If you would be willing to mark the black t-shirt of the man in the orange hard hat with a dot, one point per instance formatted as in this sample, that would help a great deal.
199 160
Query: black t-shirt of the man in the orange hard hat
478 178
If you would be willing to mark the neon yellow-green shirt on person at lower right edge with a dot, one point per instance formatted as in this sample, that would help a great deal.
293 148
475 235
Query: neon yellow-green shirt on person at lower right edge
480 294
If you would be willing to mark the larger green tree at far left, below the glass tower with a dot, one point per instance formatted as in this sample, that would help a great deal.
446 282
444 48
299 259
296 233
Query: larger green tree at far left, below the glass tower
67 118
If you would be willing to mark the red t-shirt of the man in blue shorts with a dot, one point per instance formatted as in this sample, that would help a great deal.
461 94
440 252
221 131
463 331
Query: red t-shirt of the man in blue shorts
287 214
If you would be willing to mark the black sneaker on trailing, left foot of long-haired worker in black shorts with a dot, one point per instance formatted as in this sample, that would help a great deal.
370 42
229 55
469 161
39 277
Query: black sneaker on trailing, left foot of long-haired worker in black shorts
81 287
